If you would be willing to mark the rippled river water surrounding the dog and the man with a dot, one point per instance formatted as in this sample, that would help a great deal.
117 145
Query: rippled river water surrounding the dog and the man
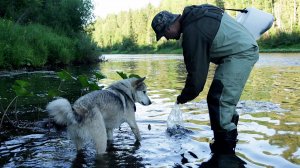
269 126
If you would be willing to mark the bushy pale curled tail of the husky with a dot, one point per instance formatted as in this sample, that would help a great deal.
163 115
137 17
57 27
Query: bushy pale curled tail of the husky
62 111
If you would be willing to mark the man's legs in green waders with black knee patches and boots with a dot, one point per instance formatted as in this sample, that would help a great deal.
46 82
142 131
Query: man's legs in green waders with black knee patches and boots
225 91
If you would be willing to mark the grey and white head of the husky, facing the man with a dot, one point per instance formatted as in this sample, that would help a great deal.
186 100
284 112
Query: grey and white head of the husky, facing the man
140 91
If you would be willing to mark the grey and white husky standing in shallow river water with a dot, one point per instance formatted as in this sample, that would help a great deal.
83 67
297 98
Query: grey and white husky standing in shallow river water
95 115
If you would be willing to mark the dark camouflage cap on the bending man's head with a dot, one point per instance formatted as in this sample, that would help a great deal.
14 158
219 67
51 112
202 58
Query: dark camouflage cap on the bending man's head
162 21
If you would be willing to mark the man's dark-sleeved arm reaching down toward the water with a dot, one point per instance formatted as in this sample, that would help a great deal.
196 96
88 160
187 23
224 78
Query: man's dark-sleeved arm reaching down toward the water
195 52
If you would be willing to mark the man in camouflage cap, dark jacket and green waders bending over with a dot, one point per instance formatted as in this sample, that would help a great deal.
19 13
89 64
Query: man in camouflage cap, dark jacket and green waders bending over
211 35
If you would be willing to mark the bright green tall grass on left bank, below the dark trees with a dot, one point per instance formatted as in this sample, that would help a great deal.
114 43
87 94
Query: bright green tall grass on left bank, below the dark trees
35 45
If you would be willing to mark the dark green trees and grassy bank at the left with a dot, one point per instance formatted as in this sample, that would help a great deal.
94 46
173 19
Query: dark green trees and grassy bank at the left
37 33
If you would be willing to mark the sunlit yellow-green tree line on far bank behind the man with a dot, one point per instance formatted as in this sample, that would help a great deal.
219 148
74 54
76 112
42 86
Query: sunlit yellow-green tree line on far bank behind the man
131 31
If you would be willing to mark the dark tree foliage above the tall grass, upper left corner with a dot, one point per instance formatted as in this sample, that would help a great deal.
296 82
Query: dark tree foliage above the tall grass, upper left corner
65 15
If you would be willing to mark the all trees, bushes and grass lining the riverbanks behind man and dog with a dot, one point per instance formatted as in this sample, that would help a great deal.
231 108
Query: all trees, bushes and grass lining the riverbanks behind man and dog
49 34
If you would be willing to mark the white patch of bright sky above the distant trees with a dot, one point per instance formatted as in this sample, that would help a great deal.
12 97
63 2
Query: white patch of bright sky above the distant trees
104 7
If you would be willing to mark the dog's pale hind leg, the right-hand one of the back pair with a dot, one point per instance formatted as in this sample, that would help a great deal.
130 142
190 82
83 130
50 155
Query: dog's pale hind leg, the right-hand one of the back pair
98 132
